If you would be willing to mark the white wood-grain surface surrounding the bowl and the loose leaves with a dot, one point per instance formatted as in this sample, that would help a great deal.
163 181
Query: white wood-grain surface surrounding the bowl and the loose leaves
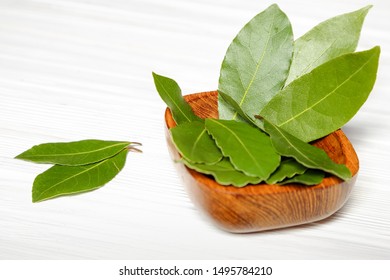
72 70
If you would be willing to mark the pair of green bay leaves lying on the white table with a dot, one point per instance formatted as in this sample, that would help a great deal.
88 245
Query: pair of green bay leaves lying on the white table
78 166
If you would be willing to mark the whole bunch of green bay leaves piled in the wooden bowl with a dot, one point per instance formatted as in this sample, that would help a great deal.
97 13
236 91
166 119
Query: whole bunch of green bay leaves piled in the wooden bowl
276 95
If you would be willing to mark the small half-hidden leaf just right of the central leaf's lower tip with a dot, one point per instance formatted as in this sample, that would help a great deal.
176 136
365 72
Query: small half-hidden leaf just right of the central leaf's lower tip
287 169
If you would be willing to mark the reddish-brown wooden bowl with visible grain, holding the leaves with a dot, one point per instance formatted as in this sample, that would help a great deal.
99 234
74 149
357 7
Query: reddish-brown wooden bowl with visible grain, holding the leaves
264 207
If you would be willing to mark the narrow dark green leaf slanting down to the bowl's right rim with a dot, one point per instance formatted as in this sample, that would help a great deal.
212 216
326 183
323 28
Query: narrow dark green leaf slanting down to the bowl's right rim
306 154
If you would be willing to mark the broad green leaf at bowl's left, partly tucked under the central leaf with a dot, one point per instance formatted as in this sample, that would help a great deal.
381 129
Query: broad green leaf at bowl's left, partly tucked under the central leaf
194 143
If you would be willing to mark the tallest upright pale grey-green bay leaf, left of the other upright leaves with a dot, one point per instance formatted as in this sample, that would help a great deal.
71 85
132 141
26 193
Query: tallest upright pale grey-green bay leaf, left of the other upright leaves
256 63
